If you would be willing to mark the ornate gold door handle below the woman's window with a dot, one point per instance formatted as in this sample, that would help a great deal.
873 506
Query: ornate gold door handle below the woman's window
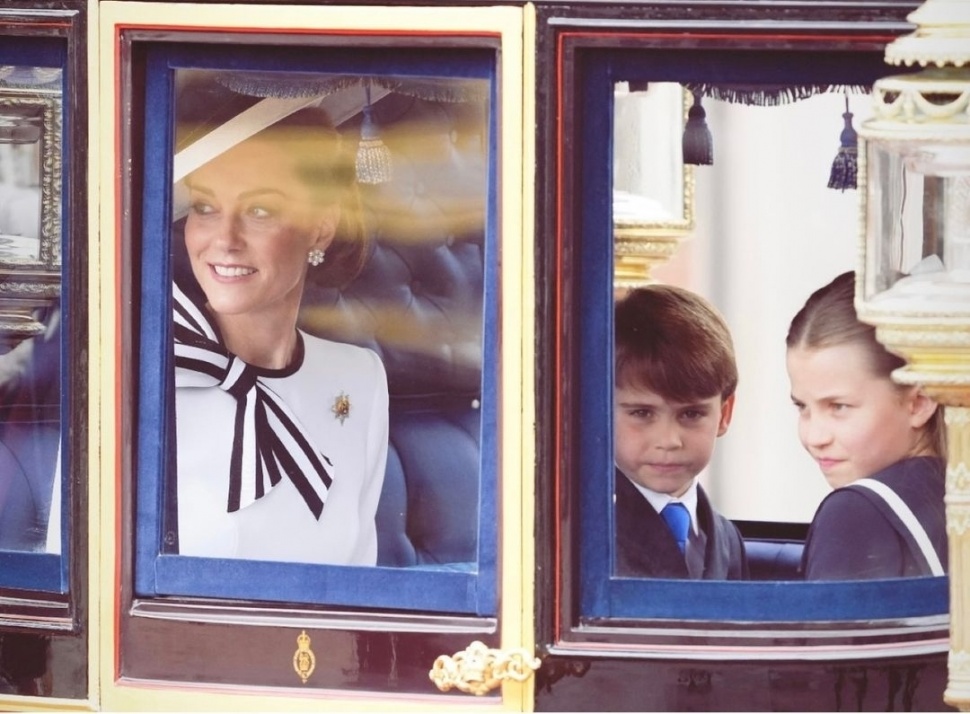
480 669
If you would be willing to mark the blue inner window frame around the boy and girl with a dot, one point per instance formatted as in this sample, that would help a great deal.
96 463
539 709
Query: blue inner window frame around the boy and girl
604 596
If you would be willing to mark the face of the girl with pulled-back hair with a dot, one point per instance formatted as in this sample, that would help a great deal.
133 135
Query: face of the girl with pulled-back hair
853 422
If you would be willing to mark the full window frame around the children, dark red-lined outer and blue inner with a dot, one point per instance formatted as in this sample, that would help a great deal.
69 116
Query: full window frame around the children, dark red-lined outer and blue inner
596 611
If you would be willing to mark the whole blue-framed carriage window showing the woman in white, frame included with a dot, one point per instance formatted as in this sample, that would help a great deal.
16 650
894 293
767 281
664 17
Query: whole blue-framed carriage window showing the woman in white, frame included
328 392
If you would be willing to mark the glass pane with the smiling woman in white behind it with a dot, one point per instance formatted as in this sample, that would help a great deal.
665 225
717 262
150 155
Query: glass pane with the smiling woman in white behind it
328 235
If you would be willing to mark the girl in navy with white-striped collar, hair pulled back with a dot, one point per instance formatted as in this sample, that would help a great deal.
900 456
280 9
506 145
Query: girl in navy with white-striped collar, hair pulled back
880 445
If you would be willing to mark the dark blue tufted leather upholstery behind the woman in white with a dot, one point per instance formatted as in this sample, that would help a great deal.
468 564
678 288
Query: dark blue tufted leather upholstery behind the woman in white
418 303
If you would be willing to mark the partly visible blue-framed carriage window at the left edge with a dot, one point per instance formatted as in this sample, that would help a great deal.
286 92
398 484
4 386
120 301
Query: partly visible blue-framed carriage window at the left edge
35 532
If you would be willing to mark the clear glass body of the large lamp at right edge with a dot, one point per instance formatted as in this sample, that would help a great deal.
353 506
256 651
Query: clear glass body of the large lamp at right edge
918 224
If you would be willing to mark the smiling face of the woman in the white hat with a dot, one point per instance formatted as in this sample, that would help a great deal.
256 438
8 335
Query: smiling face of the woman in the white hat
250 226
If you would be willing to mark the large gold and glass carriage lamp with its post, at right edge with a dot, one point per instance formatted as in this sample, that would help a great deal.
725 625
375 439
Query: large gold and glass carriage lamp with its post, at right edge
914 283
